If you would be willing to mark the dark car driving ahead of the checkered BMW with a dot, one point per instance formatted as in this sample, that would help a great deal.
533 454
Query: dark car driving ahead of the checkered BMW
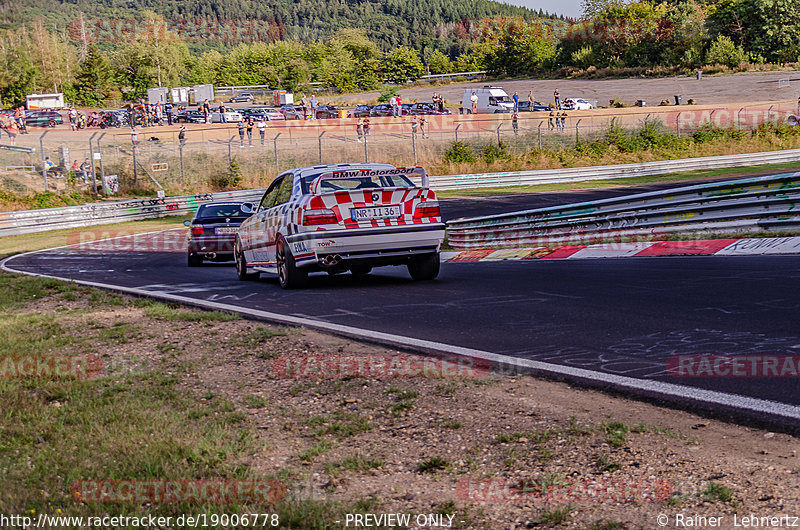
212 231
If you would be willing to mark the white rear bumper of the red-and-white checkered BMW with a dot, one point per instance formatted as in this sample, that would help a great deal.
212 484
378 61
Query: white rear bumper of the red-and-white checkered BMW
378 245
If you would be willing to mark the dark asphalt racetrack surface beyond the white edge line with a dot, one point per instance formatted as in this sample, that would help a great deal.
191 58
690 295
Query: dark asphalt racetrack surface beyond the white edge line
622 316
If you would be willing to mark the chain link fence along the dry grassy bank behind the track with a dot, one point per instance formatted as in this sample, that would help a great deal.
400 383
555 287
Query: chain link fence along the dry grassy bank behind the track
217 157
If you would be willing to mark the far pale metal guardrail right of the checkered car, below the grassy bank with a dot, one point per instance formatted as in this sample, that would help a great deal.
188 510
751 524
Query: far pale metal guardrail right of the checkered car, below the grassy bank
640 169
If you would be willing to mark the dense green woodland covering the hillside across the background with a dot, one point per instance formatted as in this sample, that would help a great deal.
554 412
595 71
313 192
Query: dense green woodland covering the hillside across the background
113 49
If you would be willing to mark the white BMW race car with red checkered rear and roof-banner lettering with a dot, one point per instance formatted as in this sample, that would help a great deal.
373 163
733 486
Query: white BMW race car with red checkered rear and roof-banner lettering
342 217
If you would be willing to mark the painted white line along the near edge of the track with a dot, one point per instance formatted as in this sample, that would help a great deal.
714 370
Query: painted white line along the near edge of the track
618 382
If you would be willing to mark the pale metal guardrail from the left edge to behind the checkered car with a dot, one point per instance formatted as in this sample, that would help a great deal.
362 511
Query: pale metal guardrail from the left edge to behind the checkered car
31 221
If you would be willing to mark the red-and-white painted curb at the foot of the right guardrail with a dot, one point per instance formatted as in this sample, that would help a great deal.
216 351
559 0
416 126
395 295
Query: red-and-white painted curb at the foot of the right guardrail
703 247
